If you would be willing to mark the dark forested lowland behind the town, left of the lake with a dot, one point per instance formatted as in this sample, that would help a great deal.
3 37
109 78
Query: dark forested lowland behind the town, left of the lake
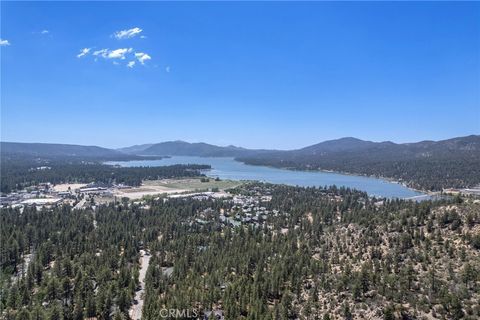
18 173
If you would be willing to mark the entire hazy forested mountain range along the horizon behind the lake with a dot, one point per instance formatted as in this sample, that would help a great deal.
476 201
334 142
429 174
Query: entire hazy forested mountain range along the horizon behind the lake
428 165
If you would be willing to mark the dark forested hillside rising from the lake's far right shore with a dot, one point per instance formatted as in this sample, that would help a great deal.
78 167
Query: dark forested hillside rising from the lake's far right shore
427 165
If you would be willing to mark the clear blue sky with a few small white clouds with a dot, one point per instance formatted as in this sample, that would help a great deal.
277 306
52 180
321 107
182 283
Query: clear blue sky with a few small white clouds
271 75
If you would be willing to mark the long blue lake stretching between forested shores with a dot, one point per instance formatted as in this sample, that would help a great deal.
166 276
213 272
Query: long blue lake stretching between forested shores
227 168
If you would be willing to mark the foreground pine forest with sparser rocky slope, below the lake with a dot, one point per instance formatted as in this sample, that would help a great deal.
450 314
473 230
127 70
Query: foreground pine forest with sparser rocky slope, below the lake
325 254
